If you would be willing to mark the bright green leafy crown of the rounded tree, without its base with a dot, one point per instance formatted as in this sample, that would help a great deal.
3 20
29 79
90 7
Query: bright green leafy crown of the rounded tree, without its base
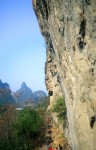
29 123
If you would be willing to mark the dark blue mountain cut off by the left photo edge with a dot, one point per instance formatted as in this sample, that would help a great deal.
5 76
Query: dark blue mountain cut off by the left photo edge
5 94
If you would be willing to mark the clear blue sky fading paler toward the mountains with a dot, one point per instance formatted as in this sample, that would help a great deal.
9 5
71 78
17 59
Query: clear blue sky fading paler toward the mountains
22 50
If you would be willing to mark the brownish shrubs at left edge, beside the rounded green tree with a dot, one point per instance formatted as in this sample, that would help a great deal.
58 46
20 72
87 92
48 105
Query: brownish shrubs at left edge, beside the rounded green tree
7 121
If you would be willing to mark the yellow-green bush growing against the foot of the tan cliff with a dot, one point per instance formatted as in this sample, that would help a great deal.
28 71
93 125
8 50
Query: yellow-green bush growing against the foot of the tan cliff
60 108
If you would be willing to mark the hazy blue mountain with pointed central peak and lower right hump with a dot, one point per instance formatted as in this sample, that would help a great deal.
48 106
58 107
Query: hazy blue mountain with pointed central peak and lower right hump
25 96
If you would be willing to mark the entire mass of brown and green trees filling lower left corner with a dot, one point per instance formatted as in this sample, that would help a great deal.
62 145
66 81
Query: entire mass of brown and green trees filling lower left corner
20 130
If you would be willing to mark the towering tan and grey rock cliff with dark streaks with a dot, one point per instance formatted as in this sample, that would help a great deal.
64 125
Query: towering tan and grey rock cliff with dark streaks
69 29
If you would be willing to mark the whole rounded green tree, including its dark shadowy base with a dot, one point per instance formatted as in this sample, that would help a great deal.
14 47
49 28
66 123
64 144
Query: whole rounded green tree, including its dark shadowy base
28 127
